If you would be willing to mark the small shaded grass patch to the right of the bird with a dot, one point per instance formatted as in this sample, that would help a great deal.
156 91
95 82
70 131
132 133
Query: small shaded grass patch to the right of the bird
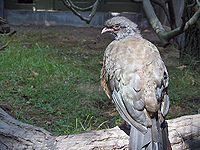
184 90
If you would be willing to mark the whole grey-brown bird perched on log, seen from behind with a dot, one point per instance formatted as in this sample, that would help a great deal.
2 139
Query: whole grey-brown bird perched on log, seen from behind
135 78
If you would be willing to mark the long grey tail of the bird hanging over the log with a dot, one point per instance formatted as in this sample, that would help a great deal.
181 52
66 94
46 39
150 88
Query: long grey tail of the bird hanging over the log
156 137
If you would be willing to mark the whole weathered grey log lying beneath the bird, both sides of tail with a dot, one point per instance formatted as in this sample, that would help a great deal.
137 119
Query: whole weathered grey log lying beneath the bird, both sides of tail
184 133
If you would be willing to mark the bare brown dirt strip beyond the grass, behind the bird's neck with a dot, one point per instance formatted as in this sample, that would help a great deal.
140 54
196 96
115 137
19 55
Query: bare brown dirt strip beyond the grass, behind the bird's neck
69 36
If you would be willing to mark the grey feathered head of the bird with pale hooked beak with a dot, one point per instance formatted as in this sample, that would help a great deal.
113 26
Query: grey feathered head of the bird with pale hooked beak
121 27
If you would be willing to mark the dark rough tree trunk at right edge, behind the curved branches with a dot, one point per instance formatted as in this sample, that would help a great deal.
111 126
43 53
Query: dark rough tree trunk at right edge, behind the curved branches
190 46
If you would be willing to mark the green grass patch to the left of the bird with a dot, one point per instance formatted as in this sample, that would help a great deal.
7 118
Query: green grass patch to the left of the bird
51 89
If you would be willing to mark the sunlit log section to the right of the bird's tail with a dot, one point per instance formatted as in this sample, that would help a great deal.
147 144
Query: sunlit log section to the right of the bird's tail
184 132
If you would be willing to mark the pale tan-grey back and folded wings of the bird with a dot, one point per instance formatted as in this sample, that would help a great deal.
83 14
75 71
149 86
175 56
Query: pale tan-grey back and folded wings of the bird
133 78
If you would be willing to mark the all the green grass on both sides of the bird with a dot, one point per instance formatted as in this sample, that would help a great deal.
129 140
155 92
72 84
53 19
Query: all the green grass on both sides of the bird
57 87
